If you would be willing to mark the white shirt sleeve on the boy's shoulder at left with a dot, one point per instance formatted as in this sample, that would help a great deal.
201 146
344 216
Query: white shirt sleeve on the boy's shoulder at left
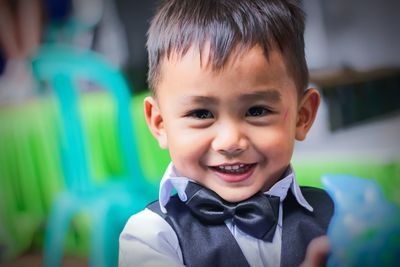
148 240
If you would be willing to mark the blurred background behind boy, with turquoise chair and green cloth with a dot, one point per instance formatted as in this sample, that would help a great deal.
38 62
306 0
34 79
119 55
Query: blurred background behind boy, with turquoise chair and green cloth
73 167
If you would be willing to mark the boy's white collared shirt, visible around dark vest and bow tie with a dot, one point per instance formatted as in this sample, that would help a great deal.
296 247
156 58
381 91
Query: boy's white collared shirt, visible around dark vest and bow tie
148 240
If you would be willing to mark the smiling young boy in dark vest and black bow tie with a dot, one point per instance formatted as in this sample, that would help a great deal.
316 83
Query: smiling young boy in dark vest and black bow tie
229 100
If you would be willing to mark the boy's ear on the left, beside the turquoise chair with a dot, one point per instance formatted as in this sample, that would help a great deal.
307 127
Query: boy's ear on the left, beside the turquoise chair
155 121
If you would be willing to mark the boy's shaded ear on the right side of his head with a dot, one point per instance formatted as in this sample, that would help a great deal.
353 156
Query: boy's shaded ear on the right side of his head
307 112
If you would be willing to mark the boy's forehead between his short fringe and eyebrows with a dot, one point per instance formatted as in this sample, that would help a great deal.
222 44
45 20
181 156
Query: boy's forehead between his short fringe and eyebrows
246 69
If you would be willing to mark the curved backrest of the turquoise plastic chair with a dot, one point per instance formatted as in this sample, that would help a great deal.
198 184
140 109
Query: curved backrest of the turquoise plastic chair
64 68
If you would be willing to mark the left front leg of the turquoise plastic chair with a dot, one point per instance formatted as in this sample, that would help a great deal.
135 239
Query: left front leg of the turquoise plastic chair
58 223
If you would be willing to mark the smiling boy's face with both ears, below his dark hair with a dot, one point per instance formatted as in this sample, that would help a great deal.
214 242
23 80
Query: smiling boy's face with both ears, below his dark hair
231 130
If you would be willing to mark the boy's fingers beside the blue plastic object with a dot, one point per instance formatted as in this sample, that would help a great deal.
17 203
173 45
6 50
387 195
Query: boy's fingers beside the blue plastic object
317 252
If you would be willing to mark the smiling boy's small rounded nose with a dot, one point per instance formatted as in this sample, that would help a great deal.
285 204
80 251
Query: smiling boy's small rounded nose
230 140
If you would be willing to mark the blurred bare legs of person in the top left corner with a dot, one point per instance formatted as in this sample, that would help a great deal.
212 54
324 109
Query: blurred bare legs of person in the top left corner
20 34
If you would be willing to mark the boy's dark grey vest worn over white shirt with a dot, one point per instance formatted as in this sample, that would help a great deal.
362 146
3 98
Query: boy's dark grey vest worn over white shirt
214 245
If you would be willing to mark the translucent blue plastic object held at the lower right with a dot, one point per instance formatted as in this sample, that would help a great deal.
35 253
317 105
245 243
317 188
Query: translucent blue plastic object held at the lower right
365 228
